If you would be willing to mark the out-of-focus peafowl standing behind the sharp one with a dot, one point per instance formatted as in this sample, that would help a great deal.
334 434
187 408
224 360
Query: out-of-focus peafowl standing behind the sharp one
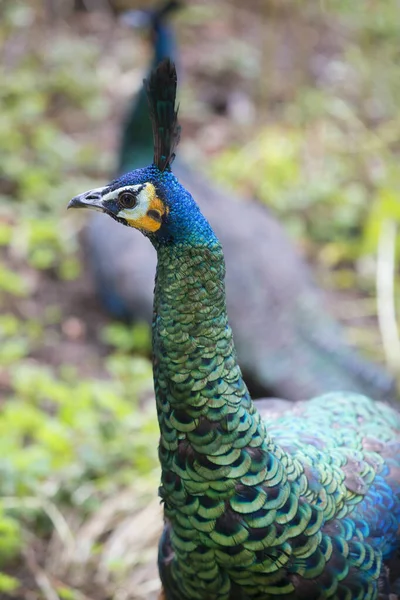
287 343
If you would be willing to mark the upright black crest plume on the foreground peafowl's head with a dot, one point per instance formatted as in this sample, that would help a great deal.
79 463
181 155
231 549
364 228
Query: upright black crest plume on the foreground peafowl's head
161 95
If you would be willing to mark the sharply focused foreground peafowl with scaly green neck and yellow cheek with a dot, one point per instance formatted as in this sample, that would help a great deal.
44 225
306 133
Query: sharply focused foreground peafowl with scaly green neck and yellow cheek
305 505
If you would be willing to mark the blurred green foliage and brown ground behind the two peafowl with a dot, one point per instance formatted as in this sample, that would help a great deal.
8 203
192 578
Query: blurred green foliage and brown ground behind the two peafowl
292 102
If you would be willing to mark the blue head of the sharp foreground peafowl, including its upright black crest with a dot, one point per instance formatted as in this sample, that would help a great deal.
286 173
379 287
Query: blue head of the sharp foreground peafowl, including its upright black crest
151 199
